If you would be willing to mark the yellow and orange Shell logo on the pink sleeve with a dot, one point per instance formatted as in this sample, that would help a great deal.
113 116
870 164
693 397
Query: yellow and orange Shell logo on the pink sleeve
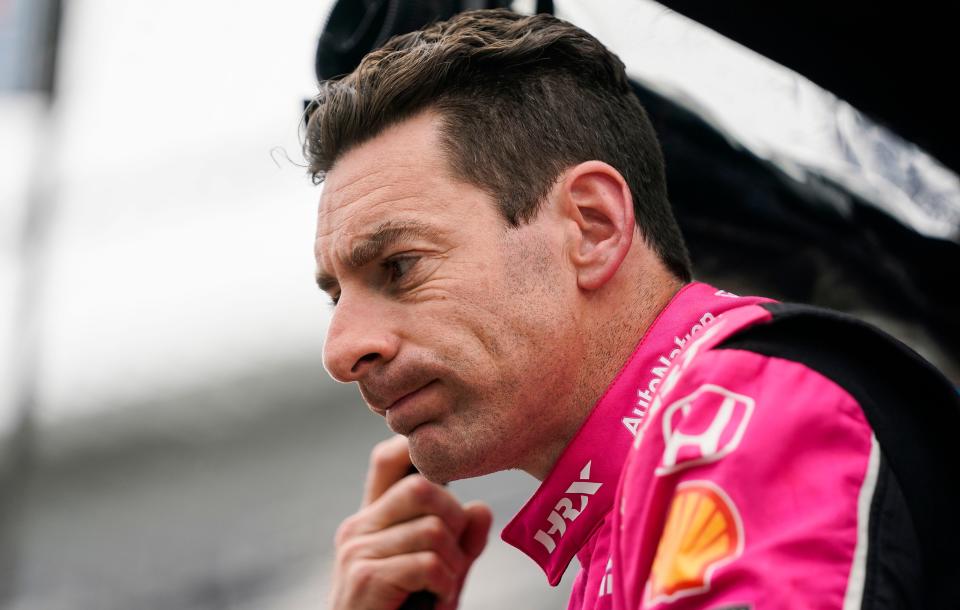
703 531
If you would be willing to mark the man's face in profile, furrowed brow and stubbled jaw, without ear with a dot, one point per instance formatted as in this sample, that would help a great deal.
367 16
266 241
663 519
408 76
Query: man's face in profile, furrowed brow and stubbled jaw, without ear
455 325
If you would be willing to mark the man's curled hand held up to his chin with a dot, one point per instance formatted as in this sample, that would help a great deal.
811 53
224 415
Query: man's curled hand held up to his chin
409 535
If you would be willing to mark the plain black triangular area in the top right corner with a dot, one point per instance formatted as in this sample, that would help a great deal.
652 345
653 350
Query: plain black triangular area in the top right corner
891 62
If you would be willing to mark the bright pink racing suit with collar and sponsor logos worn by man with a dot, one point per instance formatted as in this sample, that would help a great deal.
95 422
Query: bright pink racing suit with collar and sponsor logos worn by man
721 477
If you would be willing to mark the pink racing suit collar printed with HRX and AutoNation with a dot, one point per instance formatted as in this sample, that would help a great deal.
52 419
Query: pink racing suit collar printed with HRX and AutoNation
576 496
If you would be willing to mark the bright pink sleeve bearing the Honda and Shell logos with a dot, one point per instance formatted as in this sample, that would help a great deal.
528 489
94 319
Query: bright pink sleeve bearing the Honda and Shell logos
749 487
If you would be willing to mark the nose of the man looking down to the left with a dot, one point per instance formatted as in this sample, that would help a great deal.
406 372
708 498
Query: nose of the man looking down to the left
359 339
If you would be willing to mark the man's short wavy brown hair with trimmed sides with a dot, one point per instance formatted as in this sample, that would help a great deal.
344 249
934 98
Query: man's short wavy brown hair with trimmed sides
520 98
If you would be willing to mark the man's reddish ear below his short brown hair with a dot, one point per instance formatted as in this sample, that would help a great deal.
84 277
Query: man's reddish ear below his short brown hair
596 198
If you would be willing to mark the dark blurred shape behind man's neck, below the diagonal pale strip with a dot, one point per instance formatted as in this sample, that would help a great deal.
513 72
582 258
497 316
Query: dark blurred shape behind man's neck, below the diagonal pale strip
747 223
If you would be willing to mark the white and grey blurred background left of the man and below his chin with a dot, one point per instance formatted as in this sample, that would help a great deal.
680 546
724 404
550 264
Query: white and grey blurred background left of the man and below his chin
170 437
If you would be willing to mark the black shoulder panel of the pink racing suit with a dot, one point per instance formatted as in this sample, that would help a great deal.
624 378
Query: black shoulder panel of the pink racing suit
914 412
